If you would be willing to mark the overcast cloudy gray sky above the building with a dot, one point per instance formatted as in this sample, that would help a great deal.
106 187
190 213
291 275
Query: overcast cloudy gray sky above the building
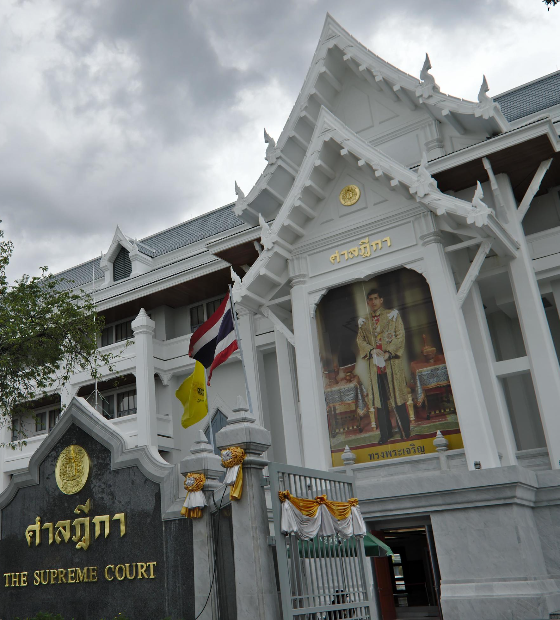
143 113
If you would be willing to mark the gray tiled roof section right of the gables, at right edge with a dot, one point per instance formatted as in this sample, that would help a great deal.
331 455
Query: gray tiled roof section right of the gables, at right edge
533 97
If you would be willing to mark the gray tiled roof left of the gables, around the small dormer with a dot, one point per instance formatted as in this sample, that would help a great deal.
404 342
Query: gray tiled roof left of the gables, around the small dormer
191 231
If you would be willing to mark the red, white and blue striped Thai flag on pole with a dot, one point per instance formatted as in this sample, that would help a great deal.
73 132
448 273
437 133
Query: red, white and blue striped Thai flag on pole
214 341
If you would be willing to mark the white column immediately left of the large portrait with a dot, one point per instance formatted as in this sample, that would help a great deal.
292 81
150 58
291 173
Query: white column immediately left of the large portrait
314 428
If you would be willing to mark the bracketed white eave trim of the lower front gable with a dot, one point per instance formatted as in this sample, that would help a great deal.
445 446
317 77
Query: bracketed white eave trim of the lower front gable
268 276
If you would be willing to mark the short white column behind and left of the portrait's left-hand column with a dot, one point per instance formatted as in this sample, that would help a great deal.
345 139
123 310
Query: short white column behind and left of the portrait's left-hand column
288 398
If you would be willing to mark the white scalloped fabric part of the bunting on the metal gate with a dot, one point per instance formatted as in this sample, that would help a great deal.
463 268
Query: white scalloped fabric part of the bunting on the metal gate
322 524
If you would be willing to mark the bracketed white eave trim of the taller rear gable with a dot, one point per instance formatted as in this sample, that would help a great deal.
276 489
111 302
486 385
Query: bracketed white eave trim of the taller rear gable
336 51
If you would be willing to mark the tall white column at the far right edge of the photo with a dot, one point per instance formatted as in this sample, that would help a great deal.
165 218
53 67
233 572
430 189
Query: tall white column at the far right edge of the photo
534 327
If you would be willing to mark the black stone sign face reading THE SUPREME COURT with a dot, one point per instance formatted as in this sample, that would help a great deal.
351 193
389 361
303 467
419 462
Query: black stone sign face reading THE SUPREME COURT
145 574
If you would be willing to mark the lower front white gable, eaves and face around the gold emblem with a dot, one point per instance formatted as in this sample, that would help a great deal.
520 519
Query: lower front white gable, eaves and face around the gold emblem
389 191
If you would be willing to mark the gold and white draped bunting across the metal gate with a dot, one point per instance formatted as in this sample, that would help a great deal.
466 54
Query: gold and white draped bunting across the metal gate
307 518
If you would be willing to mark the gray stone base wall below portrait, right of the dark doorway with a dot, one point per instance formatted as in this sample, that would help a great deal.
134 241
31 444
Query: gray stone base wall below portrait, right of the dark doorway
496 532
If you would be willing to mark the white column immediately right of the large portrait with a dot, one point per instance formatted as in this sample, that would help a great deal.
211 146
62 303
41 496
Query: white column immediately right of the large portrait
474 421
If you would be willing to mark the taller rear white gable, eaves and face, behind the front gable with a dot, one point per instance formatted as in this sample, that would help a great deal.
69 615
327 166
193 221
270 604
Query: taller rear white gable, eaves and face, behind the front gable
396 112
